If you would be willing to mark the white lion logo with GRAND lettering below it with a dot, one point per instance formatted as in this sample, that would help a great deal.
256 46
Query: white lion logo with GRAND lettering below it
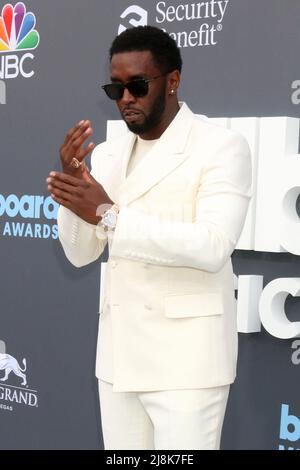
14 387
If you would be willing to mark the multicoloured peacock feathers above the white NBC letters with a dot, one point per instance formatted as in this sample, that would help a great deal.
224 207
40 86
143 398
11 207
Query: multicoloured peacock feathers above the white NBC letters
17 31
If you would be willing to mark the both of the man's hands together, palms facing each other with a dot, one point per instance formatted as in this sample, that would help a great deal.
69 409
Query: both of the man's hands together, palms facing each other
75 188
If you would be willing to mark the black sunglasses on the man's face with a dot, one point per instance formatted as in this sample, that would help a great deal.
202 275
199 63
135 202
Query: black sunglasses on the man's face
137 88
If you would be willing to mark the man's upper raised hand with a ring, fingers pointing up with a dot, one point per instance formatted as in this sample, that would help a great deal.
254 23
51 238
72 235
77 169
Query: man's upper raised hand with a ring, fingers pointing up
73 147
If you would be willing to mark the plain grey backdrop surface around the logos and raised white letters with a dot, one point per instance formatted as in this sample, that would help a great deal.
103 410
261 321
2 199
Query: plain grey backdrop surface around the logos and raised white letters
49 309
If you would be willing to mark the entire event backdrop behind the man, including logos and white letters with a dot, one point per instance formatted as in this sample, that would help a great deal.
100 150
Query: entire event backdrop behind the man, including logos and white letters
241 70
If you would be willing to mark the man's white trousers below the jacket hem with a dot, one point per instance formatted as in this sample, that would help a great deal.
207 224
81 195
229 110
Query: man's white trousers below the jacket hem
167 419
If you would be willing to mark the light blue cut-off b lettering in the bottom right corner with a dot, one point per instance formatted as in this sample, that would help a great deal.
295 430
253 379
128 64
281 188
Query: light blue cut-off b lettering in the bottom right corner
289 429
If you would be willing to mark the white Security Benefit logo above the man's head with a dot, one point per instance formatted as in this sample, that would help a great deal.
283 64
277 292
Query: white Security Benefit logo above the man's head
196 24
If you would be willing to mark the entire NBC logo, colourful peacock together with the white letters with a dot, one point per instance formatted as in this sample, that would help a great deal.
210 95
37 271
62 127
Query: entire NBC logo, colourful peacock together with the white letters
17 34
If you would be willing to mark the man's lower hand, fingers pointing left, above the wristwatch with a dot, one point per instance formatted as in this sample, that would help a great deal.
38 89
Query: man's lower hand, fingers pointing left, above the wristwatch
82 197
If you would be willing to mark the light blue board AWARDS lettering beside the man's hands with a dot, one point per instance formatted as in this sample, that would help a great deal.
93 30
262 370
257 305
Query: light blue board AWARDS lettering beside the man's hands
28 216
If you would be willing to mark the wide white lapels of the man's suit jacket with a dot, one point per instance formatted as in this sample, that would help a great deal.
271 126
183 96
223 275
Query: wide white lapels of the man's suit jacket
167 154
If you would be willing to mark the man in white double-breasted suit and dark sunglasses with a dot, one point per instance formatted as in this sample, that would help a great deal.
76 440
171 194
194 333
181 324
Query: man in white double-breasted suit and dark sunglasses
170 198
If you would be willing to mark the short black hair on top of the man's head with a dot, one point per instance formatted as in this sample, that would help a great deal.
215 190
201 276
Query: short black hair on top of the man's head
165 51
